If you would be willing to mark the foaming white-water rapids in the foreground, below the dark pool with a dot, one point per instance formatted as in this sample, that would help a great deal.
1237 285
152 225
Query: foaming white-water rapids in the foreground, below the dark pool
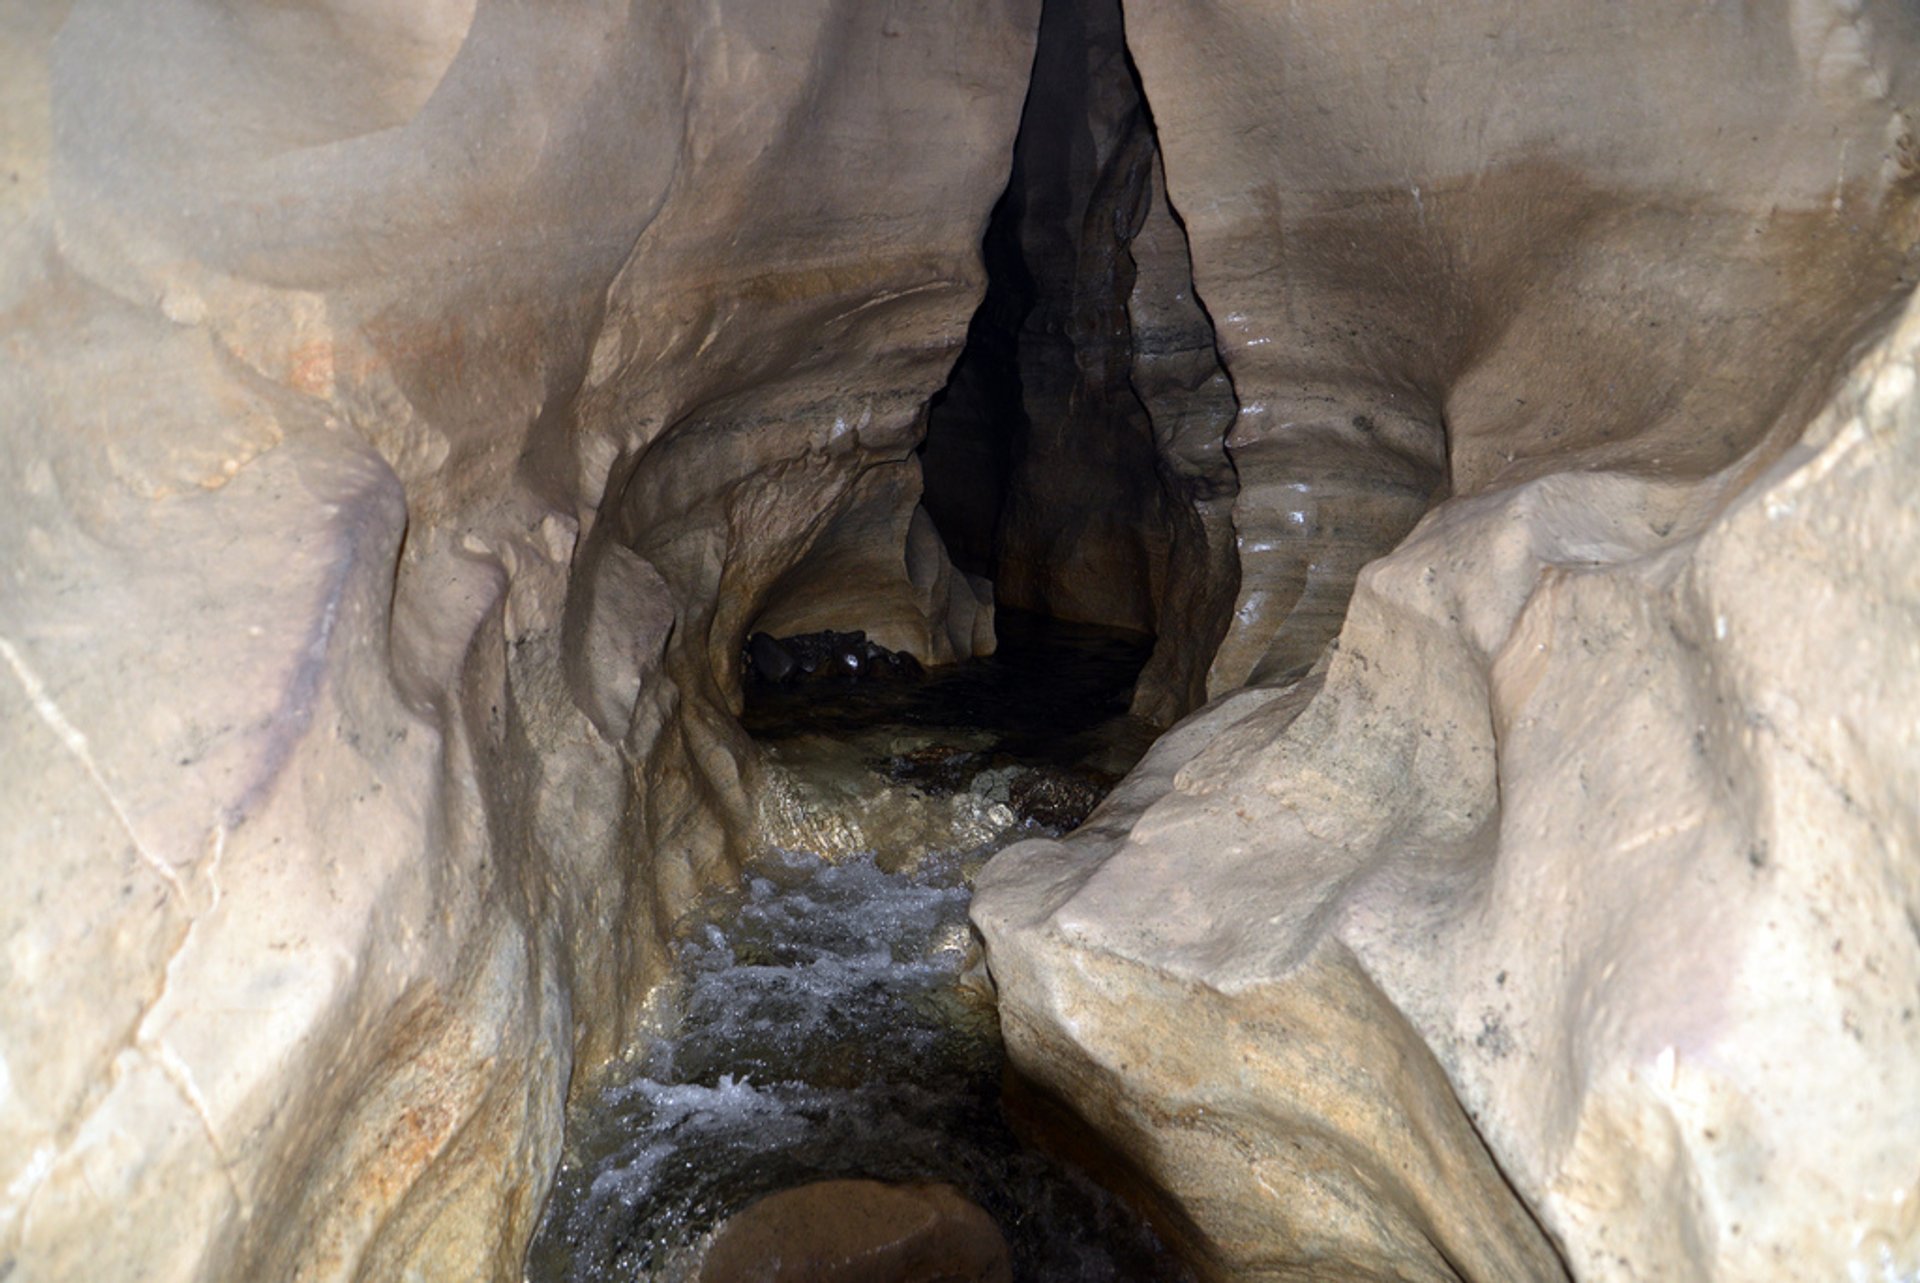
823 1032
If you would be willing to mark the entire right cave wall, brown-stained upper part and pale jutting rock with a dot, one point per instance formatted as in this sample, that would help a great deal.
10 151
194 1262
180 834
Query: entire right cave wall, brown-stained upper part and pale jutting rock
1560 919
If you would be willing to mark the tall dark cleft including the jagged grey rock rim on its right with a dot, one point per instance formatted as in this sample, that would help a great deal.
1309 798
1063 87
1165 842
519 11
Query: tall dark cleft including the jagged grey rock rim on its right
1067 460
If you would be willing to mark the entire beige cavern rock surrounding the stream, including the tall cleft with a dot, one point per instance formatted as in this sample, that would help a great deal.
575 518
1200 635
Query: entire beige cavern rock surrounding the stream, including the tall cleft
410 418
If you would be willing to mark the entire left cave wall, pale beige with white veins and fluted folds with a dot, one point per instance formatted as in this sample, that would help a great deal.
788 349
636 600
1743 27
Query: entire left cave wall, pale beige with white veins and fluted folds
406 418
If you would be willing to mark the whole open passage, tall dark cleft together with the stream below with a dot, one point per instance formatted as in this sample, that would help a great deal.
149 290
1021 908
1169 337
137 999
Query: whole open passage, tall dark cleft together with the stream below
830 1021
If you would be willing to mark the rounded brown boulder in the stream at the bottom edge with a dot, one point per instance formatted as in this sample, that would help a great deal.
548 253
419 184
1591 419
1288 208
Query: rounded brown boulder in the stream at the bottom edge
859 1232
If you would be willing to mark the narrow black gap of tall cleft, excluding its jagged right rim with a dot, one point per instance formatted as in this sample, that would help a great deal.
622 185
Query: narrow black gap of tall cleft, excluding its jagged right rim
1040 462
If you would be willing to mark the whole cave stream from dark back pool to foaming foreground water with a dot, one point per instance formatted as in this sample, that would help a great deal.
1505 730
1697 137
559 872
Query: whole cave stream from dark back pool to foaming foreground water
830 1017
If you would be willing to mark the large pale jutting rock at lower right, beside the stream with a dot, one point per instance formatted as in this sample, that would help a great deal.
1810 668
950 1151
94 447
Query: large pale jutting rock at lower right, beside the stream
1604 840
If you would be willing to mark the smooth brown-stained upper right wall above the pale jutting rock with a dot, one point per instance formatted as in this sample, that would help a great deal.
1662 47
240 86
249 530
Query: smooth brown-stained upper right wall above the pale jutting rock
1466 243
